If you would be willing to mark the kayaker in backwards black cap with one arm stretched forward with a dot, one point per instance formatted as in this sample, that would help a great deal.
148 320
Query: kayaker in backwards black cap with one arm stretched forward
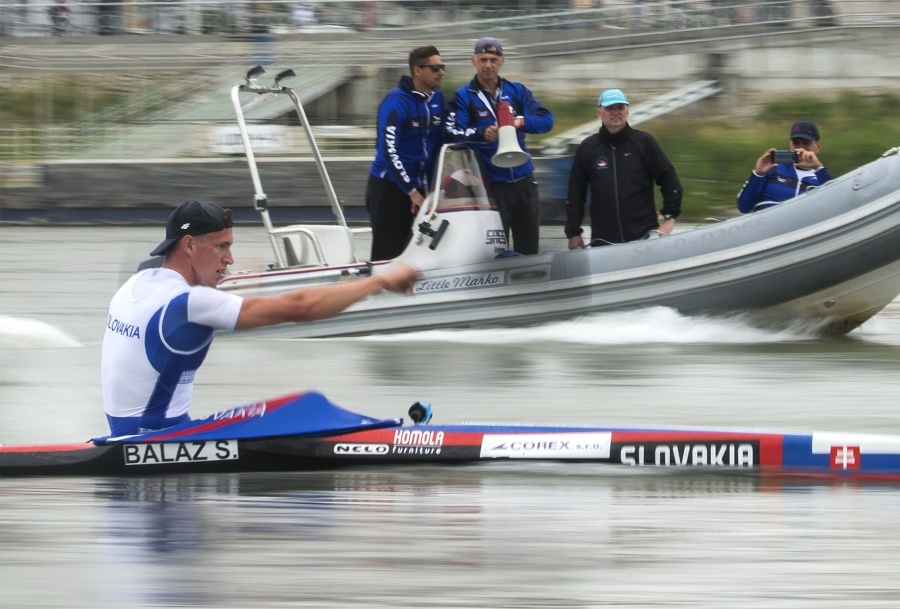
161 322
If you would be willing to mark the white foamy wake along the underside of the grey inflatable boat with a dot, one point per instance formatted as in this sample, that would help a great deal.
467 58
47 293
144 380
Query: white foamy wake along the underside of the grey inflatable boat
650 325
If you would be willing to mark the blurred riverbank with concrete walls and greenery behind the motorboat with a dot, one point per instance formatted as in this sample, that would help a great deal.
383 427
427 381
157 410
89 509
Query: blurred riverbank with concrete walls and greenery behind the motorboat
113 110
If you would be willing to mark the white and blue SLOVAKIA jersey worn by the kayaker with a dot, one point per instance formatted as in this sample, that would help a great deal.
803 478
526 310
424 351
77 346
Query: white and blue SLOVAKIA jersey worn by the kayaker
158 330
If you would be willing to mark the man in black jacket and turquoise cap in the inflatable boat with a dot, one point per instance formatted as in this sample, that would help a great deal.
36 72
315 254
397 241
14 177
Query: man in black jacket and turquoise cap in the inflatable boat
621 165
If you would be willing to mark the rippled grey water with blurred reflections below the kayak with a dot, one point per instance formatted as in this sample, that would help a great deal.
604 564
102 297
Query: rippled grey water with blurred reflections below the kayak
496 535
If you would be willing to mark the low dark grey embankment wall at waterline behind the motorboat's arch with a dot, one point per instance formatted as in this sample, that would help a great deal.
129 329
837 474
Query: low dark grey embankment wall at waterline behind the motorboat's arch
146 191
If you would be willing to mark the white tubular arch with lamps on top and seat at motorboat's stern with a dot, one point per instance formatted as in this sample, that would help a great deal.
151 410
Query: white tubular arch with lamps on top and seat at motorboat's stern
298 244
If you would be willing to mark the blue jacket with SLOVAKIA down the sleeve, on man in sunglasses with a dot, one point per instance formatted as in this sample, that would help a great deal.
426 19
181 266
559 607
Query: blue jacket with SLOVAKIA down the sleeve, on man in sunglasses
409 136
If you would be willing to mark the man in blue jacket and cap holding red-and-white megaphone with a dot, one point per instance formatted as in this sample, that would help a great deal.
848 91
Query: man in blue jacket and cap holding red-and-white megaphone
493 115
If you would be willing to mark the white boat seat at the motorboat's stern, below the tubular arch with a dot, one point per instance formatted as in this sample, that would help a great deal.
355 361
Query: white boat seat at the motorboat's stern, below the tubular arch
316 245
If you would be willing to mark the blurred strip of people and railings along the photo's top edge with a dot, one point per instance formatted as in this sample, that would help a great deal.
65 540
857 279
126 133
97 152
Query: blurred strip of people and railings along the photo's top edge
20 18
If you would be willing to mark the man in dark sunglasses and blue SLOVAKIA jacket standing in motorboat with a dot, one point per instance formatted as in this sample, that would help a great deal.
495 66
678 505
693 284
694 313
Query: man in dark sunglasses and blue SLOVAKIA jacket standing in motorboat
408 139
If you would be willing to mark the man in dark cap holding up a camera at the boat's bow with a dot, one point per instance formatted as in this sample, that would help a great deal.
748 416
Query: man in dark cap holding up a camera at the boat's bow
781 175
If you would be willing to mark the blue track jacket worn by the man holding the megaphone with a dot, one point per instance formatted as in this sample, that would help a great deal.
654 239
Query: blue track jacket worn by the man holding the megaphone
472 110
